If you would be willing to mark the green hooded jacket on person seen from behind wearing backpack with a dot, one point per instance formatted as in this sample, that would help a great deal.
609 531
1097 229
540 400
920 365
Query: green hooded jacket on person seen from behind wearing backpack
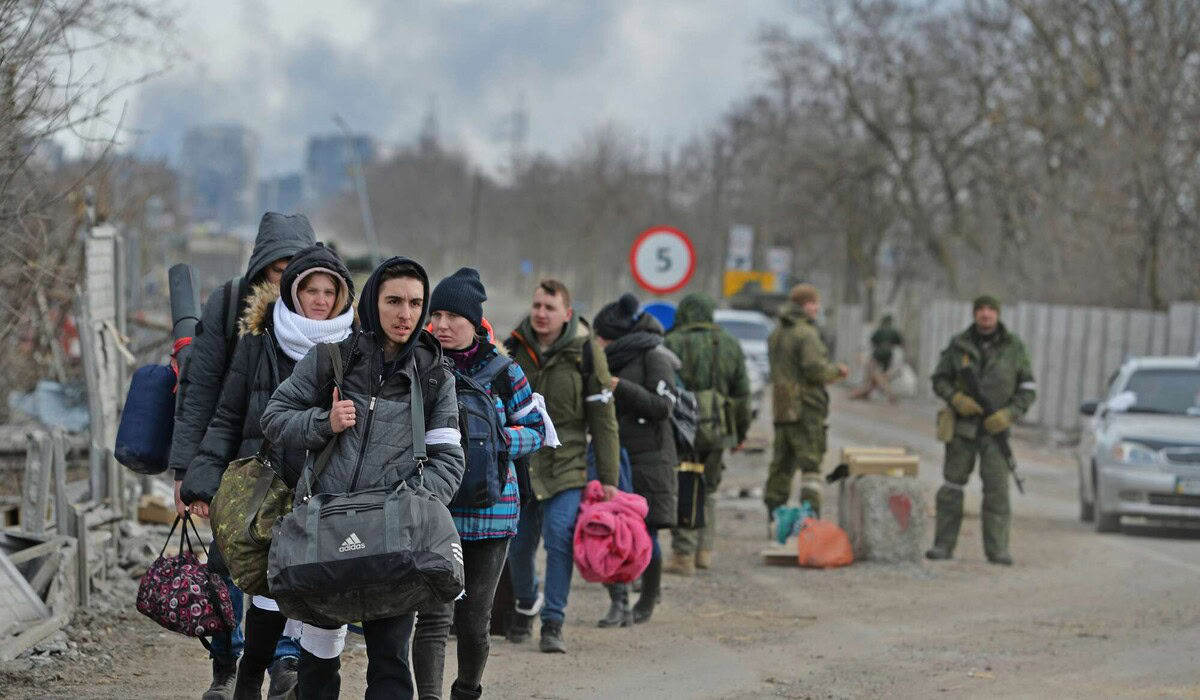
692 340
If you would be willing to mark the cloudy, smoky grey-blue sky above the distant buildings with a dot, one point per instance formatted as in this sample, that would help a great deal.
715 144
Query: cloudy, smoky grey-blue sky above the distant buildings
665 69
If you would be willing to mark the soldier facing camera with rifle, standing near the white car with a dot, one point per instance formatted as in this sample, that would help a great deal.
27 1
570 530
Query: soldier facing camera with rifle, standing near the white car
1006 381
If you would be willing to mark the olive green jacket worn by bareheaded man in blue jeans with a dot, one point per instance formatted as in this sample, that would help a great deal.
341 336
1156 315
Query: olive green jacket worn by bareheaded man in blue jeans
578 405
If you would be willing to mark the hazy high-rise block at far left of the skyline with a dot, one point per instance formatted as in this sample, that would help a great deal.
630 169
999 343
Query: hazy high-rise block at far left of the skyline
220 175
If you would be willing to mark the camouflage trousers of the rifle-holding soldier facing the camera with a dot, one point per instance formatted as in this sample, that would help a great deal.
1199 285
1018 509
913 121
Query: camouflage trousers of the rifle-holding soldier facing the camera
995 514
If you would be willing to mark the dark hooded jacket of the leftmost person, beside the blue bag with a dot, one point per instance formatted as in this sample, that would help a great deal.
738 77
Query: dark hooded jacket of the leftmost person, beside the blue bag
202 378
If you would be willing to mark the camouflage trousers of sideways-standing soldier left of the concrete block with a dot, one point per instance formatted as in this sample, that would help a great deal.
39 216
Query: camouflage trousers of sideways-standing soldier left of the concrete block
799 446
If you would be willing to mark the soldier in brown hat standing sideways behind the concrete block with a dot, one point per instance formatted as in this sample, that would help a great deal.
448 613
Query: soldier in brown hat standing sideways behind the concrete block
800 372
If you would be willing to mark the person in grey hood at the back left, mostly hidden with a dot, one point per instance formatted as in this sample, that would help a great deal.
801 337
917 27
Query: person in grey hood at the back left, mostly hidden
280 238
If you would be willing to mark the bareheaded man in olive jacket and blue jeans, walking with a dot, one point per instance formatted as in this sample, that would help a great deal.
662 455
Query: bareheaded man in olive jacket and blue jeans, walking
563 363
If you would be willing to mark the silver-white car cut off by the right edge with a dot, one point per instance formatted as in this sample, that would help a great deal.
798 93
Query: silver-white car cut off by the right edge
1141 454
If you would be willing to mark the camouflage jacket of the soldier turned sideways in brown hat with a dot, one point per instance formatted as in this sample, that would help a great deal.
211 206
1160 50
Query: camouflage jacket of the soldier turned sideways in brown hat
800 368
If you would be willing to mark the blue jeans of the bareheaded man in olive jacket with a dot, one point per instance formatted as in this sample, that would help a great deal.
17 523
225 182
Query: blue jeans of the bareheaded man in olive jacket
553 520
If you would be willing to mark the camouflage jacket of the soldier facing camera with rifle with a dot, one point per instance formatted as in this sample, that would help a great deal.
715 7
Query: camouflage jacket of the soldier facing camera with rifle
1006 378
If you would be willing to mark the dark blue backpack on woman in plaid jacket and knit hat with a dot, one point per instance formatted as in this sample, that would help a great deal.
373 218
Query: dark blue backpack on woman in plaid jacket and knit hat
483 441
